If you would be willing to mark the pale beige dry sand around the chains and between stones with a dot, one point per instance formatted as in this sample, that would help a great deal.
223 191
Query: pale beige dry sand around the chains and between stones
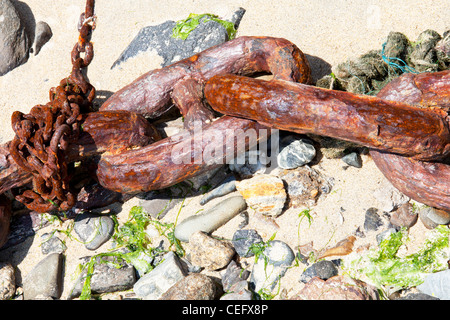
329 32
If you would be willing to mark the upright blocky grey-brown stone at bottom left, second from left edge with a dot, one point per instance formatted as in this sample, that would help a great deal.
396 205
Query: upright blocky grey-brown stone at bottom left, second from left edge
45 278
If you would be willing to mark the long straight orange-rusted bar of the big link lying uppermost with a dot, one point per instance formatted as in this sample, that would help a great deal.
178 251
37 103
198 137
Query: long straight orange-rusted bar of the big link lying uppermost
390 126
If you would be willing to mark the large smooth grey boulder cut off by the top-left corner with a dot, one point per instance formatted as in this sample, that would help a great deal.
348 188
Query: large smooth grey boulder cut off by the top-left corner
14 42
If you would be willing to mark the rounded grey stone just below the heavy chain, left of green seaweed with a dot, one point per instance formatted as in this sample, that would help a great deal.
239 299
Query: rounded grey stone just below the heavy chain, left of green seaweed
94 230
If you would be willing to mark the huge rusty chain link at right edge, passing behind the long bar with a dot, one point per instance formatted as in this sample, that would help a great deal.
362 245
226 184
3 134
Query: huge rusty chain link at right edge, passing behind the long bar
426 182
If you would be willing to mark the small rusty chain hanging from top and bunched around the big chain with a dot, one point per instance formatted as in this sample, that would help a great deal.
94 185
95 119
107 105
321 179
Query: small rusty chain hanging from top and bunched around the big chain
43 135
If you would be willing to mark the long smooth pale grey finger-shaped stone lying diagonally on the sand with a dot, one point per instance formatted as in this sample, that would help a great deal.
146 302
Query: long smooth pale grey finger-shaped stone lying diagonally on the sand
211 219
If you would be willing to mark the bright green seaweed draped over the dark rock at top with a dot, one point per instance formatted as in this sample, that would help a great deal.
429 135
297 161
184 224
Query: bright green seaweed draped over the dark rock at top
184 27
